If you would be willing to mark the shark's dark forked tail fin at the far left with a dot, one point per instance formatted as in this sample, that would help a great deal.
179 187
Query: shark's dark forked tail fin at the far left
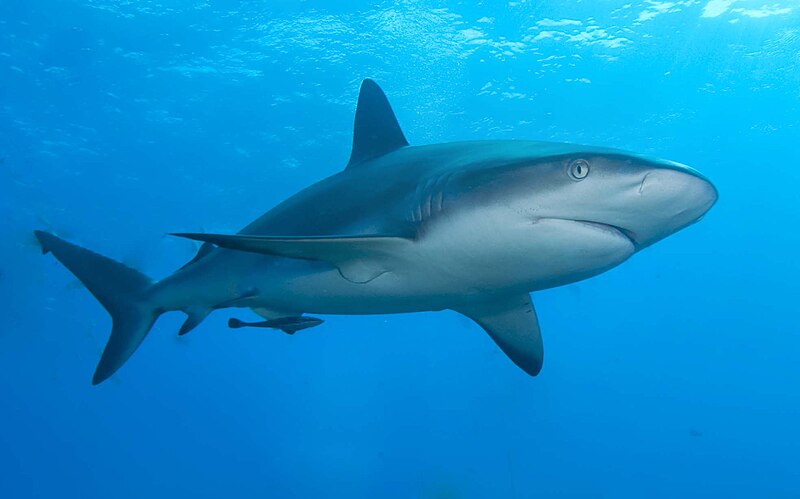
120 289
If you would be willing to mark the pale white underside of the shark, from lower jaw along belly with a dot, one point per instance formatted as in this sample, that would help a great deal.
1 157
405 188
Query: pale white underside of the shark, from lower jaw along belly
455 261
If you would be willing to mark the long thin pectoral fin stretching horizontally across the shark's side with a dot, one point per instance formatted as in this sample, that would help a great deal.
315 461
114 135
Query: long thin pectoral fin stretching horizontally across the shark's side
359 259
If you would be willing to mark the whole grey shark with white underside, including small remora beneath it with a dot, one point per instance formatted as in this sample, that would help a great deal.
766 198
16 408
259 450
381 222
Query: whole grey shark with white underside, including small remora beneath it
472 227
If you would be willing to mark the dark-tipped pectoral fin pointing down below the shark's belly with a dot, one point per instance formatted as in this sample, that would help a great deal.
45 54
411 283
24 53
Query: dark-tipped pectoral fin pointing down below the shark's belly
512 324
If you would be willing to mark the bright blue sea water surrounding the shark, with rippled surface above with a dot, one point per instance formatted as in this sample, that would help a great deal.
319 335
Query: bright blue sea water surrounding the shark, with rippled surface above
674 375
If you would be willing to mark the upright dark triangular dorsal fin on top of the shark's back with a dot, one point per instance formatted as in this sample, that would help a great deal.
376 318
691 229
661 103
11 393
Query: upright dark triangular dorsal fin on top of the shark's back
376 131
